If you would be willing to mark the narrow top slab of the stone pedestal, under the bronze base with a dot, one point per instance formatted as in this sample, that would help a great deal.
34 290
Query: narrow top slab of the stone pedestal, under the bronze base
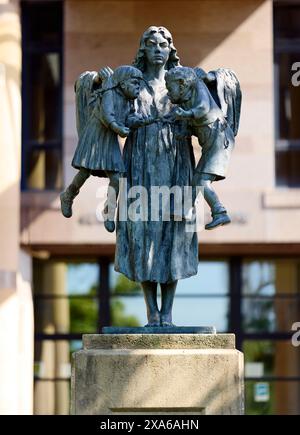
159 341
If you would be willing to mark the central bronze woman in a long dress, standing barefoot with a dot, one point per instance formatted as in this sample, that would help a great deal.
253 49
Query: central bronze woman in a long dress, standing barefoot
156 252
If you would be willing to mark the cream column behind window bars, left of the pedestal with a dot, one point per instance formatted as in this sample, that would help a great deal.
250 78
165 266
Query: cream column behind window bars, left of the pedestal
52 397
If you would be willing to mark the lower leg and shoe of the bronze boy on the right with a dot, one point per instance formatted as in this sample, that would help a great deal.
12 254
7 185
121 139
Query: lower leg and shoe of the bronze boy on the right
218 211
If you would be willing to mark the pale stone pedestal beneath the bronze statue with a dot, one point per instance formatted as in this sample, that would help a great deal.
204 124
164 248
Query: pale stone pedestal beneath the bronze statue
158 374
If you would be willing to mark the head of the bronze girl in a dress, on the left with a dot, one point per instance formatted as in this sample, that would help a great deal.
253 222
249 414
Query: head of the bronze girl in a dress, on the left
128 78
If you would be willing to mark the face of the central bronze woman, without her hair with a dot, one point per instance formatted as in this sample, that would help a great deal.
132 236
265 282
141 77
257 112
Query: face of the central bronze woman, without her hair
157 49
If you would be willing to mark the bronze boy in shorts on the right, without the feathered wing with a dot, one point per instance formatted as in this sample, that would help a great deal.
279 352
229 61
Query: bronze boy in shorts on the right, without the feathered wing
203 118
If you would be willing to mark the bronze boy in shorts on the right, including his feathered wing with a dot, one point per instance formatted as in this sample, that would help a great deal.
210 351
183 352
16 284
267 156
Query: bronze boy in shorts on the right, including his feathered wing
213 117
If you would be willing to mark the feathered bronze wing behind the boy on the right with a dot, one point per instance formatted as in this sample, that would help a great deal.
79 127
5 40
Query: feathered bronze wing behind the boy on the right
228 90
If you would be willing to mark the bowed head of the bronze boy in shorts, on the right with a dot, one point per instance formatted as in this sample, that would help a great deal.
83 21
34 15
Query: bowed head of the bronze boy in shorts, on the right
179 80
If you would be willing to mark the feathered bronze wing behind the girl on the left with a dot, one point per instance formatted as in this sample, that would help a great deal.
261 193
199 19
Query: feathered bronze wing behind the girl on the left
85 97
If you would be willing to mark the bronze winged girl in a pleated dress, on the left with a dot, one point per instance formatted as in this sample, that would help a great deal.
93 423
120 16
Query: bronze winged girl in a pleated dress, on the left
103 114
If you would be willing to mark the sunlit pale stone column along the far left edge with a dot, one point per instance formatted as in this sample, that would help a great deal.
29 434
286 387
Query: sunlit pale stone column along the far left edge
16 320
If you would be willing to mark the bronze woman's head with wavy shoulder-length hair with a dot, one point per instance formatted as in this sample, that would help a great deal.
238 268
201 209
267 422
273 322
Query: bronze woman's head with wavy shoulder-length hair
157 48
